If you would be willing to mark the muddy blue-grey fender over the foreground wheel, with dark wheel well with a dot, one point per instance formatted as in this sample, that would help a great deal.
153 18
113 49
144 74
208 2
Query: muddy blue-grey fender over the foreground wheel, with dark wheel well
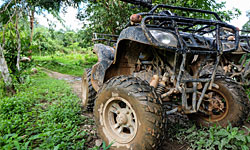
119 61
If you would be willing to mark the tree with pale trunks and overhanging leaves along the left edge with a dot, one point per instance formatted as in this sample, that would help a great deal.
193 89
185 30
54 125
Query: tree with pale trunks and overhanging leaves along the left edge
12 14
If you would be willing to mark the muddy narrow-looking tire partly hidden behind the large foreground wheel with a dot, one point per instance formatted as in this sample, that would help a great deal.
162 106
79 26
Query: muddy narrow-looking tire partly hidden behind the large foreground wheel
88 93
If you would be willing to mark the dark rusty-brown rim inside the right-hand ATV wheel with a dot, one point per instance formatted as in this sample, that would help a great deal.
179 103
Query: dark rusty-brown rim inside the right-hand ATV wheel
215 106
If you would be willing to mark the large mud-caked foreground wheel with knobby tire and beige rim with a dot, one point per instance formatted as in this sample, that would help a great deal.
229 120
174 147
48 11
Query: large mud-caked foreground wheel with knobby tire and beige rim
144 106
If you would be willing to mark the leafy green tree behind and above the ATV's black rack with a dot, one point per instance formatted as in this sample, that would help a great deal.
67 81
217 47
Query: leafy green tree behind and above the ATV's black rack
111 16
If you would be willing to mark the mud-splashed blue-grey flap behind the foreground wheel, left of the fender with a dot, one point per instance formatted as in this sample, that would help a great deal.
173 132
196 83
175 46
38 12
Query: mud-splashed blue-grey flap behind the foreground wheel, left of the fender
105 59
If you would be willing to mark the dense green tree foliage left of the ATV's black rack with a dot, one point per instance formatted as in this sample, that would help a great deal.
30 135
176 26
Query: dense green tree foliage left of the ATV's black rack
106 16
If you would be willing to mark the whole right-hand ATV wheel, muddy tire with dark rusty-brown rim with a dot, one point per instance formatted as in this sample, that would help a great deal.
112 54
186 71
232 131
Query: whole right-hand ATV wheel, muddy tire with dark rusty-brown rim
227 104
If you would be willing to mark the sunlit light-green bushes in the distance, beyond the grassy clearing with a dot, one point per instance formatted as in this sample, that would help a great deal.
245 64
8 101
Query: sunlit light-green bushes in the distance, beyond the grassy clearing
47 41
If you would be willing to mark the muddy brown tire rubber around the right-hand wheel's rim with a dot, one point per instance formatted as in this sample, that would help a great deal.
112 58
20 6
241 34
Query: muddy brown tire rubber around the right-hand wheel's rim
238 105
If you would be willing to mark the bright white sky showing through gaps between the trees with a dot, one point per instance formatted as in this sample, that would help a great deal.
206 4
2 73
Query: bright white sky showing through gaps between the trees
73 23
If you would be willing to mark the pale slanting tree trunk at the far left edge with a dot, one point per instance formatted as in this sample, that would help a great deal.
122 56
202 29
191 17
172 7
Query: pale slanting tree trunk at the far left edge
5 73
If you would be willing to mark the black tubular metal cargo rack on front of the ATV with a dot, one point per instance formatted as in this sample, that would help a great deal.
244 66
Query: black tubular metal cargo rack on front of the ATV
183 28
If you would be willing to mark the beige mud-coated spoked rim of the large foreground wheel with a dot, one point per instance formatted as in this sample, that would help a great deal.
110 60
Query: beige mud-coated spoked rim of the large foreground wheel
120 120
